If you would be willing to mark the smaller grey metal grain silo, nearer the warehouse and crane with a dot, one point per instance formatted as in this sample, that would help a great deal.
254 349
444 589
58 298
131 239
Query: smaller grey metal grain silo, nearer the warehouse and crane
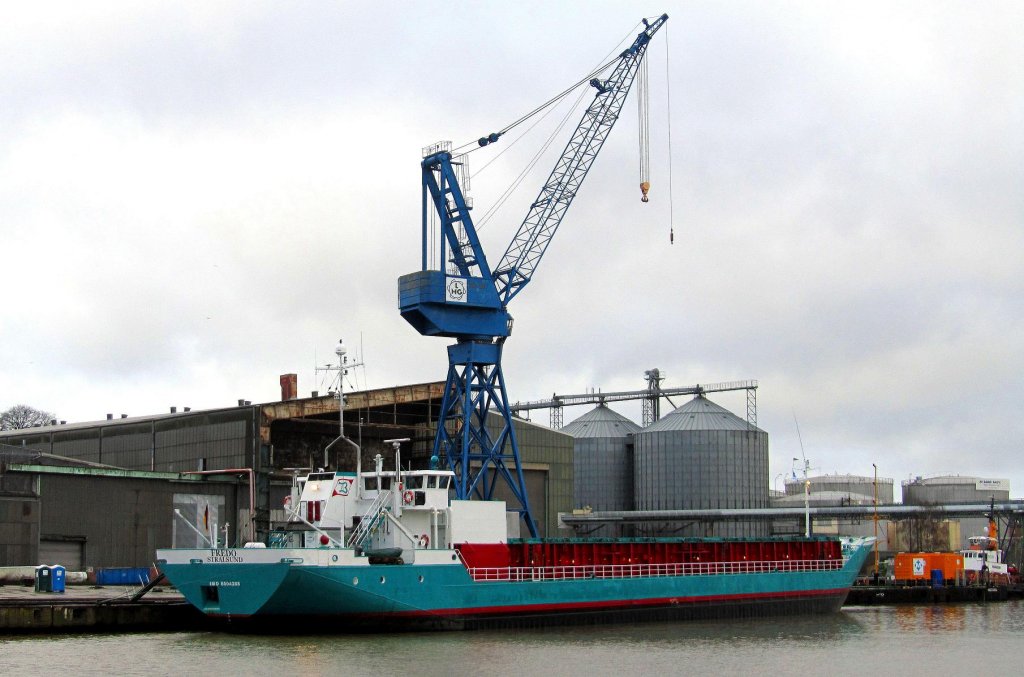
603 460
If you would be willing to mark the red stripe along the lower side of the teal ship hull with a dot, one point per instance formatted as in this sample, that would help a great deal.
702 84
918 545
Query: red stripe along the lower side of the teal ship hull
618 604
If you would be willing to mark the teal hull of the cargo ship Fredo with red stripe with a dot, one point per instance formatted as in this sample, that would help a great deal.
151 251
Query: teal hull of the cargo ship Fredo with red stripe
271 590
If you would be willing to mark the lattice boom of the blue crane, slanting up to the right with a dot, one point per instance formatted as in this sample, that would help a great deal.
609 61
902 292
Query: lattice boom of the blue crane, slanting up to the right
546 214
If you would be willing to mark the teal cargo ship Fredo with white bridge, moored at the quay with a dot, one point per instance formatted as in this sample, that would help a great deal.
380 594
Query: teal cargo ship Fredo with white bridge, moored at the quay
392 551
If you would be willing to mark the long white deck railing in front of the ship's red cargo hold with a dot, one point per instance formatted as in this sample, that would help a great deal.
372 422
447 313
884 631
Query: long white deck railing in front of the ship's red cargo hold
650 571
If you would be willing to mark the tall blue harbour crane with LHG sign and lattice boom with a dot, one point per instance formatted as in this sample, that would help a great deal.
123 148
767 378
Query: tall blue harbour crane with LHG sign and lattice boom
468 301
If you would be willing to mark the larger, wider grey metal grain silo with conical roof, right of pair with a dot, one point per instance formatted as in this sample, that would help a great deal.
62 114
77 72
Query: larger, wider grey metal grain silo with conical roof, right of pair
702 456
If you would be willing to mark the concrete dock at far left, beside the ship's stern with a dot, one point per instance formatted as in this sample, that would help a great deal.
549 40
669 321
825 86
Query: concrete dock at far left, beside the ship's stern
94 609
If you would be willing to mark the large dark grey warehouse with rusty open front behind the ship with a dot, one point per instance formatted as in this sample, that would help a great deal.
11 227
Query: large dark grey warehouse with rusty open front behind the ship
109 493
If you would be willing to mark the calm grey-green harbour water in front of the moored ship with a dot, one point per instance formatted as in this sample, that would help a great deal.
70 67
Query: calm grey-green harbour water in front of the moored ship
904 641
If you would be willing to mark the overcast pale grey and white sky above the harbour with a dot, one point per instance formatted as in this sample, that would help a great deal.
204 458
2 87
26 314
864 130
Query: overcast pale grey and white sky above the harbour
196 198
